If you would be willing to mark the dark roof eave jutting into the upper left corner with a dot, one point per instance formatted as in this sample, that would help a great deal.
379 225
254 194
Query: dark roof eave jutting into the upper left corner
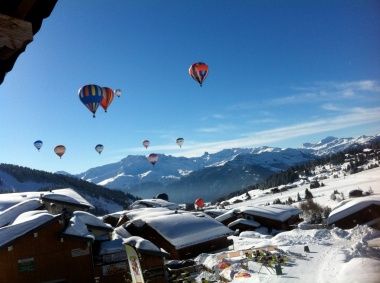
20 20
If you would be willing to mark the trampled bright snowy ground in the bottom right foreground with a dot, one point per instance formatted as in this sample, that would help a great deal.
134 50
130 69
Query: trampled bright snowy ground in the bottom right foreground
335 256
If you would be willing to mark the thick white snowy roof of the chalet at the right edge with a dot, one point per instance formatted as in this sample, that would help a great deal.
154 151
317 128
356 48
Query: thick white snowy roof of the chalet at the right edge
352 206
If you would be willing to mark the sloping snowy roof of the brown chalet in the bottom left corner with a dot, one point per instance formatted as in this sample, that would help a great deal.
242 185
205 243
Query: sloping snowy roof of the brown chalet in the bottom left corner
24 223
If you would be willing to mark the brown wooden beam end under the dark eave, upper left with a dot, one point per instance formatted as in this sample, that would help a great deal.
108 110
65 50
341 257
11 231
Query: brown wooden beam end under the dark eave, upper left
15 34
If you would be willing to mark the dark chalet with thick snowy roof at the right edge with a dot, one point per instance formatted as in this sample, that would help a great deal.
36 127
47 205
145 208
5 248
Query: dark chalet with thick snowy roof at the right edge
361 210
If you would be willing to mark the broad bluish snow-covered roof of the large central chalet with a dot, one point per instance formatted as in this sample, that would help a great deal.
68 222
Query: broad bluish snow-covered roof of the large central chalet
186 229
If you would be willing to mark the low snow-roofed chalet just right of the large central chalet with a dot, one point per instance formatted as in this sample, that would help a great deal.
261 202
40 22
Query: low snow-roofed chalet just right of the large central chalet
280 217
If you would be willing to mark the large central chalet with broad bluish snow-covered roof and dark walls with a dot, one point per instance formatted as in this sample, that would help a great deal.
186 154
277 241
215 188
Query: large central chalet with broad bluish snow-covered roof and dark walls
182 234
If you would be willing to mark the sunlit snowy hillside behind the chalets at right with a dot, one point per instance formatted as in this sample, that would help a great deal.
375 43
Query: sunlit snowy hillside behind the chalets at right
363 180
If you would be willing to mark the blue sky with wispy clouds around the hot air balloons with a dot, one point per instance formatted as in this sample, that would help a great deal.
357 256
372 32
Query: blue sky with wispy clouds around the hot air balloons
280 73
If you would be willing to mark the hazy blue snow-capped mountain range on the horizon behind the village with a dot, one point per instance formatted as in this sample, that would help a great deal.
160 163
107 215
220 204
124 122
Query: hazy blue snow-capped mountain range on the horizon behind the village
210 176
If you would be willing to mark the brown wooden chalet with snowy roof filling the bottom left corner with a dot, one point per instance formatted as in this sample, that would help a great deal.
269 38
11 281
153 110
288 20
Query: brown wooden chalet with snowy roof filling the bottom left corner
33 249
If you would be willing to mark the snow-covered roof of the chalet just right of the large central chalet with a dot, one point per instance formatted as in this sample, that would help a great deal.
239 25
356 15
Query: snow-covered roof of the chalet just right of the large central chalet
278 212
